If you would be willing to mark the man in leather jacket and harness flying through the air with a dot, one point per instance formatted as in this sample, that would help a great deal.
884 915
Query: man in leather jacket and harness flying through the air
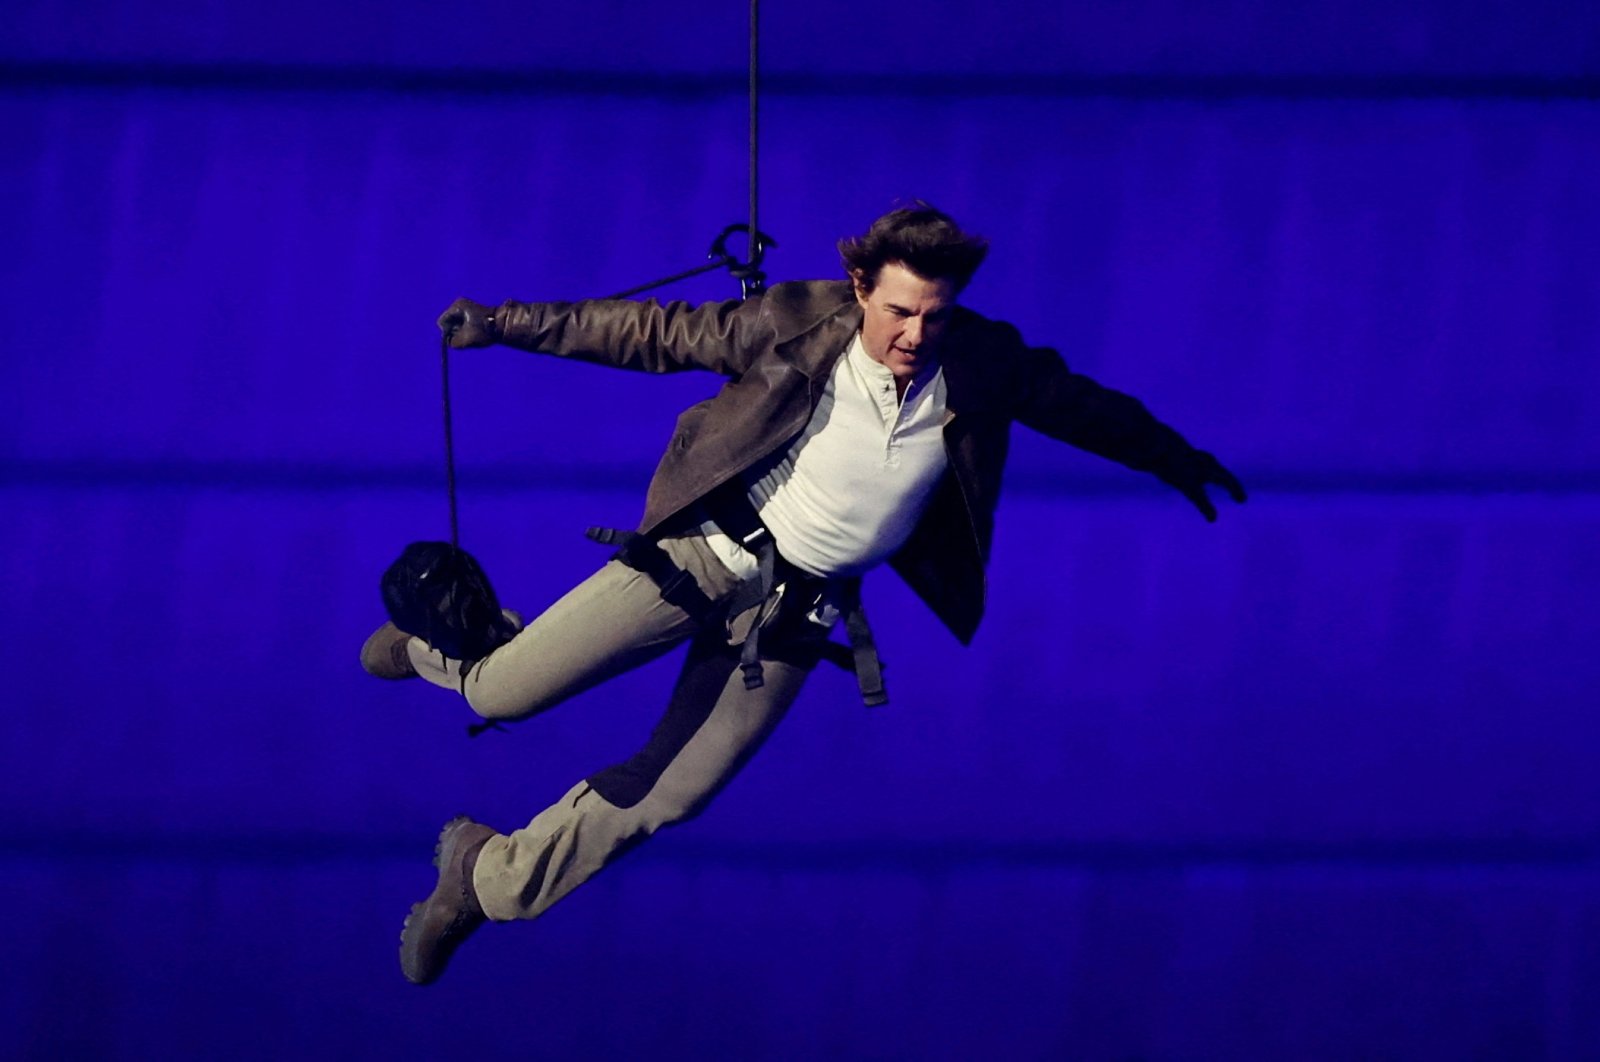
862 421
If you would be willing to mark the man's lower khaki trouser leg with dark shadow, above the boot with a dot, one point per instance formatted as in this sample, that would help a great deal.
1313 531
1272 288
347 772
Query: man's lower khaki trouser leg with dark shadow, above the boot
711 729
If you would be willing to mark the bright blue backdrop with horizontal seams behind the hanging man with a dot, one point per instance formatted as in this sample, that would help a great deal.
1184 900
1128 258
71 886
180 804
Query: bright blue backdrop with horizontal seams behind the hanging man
1314 783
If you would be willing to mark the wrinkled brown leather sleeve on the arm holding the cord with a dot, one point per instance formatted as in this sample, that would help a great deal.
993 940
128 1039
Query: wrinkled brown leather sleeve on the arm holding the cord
644 337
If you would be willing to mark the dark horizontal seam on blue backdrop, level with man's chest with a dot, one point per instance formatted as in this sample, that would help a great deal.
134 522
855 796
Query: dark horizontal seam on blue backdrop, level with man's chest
631 477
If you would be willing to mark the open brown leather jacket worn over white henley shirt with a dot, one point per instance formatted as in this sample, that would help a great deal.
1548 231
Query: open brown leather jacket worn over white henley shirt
778 351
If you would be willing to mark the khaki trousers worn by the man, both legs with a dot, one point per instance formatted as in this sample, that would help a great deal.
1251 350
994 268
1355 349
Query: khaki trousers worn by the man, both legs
609 625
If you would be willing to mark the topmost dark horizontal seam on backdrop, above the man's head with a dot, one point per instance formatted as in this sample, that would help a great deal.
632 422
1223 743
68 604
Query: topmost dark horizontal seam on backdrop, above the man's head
412 81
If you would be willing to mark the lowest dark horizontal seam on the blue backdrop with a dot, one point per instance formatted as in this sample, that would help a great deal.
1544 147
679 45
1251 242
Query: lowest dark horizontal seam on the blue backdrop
857 856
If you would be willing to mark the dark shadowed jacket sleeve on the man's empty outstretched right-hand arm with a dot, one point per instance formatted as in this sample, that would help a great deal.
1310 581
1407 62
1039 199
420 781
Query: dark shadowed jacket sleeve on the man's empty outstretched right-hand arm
1073 409
